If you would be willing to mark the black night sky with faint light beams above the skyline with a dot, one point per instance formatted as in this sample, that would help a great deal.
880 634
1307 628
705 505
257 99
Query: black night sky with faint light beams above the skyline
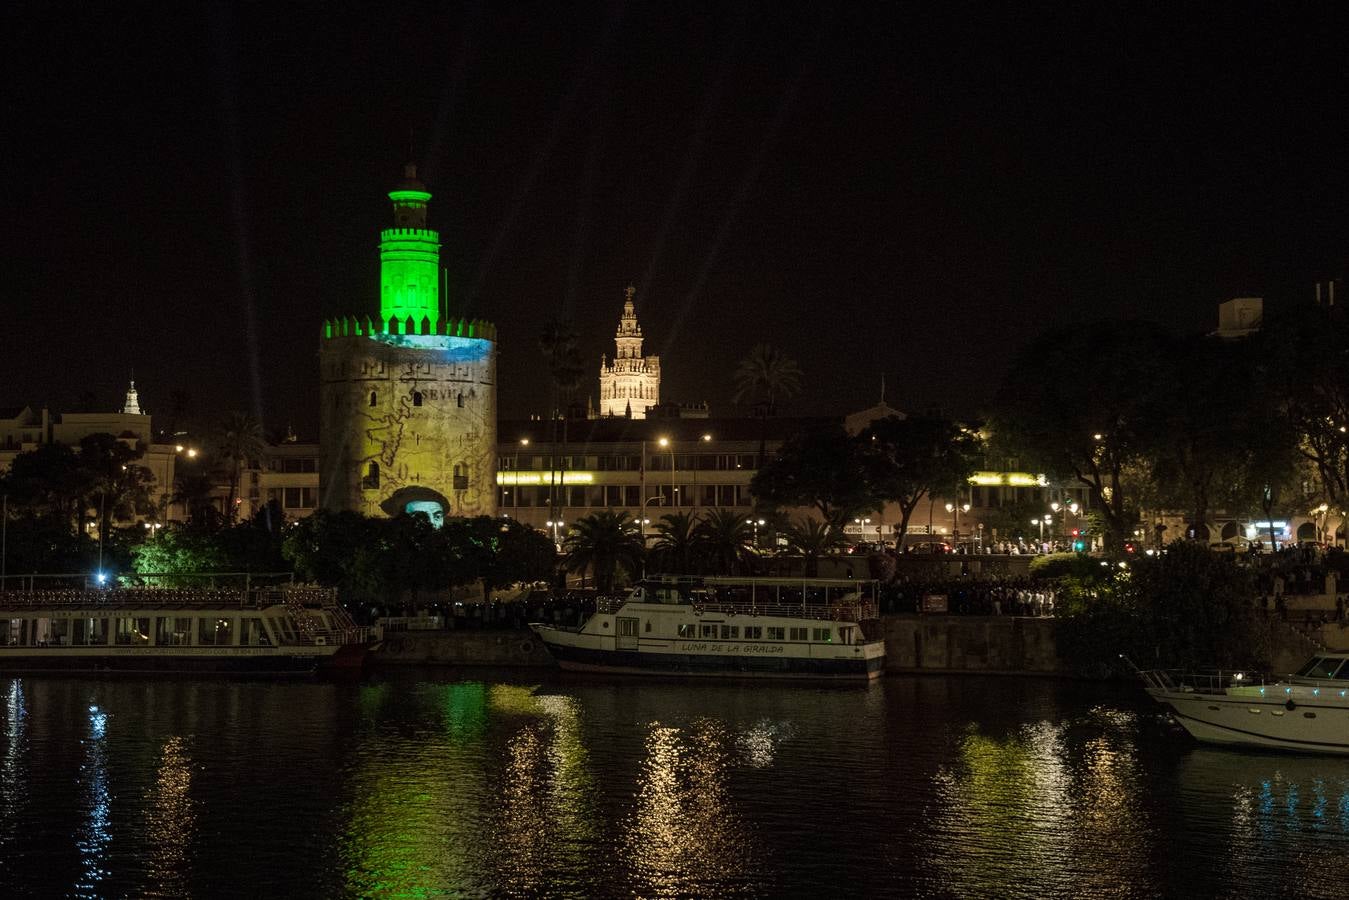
190 190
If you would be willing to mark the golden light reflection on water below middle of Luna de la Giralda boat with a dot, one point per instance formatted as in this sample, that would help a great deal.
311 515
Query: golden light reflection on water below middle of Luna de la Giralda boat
686 836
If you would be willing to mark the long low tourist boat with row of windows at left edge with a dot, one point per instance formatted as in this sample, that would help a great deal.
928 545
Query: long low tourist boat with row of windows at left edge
292 631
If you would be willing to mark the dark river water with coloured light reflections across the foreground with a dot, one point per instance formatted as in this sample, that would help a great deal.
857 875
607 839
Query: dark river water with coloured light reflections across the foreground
434 785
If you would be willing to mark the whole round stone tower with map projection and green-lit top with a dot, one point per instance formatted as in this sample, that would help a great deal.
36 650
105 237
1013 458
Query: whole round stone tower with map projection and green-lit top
408 419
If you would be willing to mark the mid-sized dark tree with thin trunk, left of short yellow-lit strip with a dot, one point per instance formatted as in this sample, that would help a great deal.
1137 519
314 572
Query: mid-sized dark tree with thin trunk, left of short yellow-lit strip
910 459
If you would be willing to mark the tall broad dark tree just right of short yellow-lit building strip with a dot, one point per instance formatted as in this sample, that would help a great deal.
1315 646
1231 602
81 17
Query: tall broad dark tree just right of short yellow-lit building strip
1083 404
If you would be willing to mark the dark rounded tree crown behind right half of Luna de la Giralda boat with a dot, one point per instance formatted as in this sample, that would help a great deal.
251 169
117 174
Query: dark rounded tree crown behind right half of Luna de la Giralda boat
821 468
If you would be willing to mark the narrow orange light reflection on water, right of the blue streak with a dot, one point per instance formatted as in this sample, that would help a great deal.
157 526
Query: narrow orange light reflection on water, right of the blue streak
171 821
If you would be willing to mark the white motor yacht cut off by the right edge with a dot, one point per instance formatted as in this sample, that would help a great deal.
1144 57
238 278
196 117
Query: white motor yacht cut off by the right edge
1305 712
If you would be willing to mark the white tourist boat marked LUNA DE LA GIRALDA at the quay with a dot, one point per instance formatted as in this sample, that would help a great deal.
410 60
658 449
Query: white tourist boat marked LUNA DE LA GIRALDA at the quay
729 627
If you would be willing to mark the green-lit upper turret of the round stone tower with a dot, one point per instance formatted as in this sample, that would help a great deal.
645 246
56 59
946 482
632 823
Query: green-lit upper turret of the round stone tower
409 257
